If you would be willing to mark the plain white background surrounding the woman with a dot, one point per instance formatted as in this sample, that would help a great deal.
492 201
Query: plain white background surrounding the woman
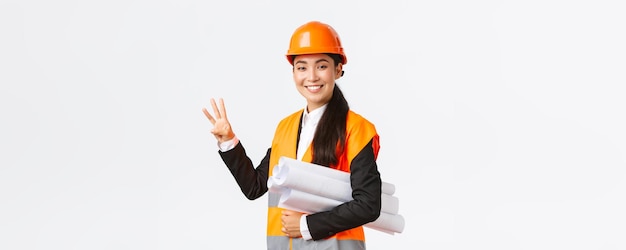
501 122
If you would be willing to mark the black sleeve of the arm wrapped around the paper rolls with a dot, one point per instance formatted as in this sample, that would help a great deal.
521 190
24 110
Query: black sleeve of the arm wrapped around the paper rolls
364 208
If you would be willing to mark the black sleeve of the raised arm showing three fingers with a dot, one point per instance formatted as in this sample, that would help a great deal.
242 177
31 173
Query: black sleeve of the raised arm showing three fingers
252 181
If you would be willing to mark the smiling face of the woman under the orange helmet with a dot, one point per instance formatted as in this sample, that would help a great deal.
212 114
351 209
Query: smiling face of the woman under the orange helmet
315 76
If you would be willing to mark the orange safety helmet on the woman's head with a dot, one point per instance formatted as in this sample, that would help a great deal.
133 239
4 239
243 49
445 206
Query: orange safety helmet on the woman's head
313 38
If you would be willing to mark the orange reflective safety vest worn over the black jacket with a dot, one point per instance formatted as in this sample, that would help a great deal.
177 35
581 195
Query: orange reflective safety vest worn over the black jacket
359 132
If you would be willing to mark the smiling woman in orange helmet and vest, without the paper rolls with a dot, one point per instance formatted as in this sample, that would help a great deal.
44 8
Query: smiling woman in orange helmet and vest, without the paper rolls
325 132
